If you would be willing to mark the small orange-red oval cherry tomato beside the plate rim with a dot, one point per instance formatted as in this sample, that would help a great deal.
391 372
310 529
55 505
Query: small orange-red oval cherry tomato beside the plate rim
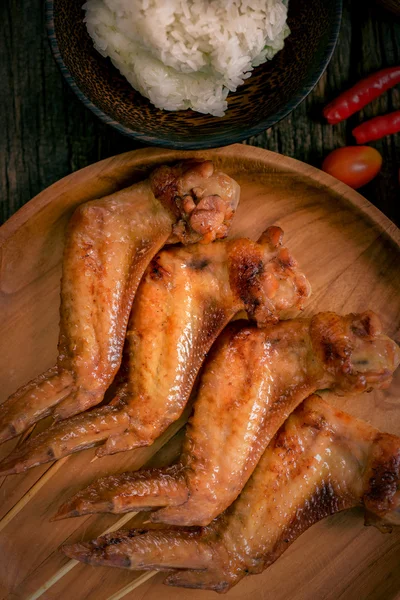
354 165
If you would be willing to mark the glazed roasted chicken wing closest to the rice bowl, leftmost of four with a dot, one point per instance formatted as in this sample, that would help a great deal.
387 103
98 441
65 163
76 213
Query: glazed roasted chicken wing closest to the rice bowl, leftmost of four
109 244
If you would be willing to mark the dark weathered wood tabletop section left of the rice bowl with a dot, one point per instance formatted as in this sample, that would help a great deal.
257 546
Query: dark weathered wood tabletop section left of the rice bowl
46 132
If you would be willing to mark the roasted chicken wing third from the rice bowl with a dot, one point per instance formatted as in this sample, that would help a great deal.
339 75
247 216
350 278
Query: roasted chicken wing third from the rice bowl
252 381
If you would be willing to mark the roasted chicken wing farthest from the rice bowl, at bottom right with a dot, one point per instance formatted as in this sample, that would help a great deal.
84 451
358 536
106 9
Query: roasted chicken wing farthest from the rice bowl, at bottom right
320 462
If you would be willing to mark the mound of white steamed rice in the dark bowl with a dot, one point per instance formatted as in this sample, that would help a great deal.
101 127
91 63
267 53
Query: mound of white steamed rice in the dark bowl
187 53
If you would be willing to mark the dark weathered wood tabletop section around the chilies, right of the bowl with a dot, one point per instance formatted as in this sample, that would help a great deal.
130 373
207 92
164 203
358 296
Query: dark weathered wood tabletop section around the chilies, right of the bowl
369 40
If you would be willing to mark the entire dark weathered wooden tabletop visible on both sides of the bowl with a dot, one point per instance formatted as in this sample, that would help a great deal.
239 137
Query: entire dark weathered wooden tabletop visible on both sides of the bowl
47 133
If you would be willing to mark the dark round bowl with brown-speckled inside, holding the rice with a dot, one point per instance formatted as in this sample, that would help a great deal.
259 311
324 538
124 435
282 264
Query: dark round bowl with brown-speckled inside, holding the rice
272 92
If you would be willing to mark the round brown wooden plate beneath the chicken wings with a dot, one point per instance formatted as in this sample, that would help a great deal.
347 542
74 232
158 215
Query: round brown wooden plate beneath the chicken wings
350 252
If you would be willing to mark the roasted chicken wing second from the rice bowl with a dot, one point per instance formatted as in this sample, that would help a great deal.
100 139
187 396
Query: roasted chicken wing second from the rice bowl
186 297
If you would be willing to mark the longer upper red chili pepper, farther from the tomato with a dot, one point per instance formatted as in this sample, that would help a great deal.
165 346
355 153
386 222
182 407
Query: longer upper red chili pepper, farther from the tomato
361 94
